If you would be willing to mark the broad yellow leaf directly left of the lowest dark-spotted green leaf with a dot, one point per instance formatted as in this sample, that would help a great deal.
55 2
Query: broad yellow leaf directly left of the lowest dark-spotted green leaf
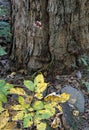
18 115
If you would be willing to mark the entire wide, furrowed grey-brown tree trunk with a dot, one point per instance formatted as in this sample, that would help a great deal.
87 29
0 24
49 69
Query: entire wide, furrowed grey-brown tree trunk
63 34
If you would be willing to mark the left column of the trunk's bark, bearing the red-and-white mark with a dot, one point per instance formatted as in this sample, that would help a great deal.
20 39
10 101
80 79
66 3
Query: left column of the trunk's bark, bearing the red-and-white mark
30 44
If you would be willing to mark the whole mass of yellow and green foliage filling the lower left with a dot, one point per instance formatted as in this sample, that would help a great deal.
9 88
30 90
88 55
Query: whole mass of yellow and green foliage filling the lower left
30 105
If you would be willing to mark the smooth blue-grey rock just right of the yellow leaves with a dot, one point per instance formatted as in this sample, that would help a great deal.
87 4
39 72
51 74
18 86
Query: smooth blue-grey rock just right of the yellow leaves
76 95
